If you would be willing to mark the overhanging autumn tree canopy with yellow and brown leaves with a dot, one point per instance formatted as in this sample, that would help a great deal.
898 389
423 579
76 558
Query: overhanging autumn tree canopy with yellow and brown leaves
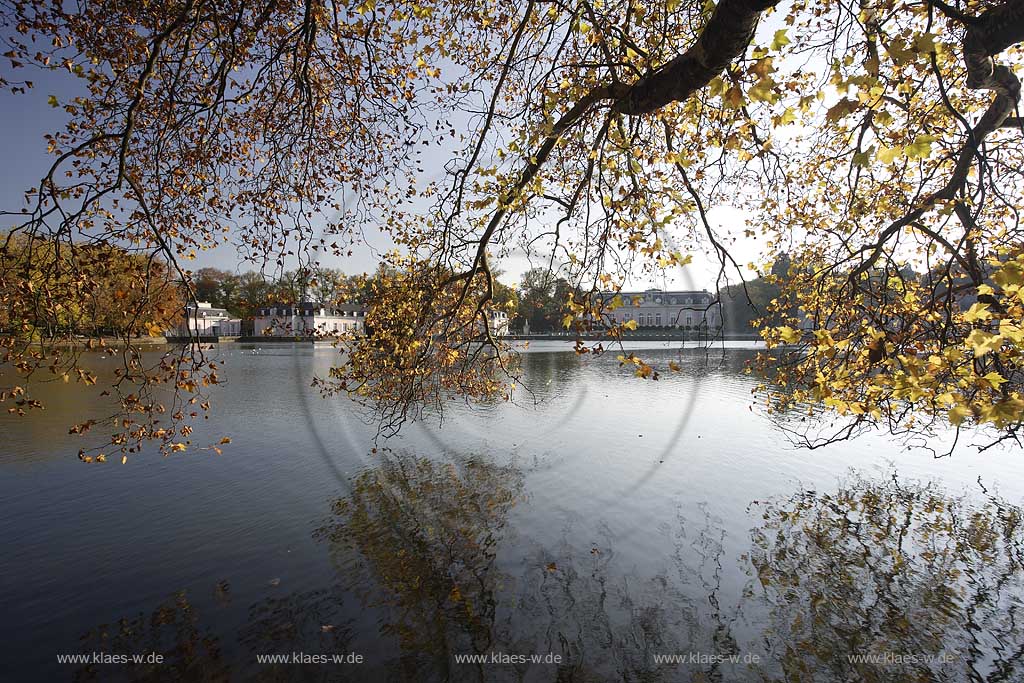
861 140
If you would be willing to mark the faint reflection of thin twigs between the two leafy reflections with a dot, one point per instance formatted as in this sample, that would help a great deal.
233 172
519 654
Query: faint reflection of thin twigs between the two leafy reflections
607 625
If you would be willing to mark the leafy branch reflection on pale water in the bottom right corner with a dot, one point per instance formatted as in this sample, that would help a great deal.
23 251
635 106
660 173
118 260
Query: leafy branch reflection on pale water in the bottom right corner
877 570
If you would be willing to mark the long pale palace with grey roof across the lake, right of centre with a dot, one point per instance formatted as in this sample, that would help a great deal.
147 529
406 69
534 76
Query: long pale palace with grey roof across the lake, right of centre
655 309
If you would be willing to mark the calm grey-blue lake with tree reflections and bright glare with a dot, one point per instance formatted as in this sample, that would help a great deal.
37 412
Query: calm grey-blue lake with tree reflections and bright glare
601 529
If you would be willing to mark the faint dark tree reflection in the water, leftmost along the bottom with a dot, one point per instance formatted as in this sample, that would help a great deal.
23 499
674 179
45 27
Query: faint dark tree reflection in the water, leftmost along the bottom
191 653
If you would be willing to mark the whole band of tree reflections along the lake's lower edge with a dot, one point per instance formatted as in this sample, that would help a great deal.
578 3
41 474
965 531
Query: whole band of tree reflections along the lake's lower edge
877 580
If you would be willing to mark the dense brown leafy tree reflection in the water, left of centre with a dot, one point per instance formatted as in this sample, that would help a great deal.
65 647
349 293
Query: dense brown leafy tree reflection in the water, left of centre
426 534
